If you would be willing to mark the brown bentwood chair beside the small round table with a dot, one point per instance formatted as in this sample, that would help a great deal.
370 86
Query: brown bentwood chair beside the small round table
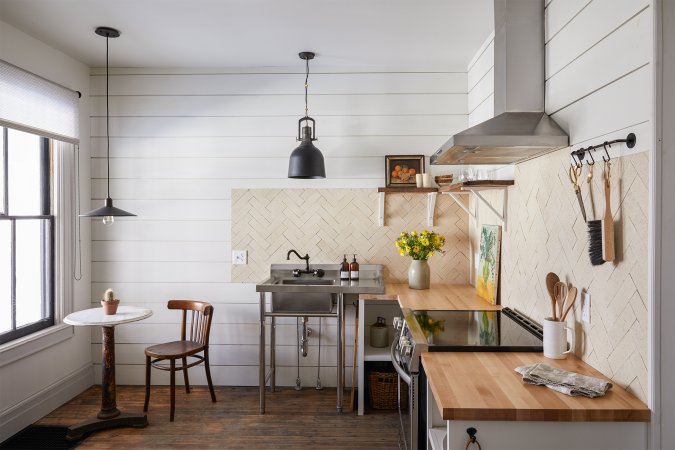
194 338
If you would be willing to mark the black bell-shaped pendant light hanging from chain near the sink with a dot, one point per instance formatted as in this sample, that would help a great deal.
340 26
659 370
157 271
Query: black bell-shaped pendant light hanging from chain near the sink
306 161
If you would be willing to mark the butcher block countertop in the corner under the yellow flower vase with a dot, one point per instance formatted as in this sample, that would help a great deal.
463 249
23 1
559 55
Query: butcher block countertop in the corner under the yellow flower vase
453 297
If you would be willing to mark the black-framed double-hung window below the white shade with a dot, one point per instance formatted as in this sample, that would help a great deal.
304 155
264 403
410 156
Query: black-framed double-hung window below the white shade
26 234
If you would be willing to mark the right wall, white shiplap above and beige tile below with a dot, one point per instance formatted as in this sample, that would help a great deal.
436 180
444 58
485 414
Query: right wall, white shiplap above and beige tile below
598 87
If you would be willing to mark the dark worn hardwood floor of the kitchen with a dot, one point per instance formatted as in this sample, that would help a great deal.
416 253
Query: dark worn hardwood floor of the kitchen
300 420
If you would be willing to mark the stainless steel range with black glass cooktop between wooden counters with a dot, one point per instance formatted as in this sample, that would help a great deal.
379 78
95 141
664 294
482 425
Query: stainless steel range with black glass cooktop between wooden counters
421 331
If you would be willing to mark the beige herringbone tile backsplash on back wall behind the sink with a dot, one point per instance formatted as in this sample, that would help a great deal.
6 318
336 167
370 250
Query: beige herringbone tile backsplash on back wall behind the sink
327 223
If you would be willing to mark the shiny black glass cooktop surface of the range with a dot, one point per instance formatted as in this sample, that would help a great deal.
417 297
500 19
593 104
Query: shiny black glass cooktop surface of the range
505 330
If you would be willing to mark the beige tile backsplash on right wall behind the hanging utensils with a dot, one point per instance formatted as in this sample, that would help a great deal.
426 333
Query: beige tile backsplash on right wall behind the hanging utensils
547 233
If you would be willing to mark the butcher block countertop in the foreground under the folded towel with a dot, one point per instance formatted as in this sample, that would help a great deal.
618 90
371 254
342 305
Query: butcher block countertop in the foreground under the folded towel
484 386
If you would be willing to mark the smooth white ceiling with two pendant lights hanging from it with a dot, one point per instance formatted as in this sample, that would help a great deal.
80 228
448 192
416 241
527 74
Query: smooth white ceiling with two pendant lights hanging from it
345 34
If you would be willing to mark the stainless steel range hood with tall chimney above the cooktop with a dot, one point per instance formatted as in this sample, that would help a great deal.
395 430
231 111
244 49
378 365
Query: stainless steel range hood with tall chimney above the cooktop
520 130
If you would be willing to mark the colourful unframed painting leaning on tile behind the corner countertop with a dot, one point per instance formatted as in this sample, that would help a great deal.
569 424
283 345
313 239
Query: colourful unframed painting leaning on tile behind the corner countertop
487 276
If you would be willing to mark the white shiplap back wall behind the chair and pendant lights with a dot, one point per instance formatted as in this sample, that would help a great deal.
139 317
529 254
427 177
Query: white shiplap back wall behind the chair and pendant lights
182 140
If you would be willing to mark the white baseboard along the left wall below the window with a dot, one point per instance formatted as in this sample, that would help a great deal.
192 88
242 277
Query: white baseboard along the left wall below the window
19 416
